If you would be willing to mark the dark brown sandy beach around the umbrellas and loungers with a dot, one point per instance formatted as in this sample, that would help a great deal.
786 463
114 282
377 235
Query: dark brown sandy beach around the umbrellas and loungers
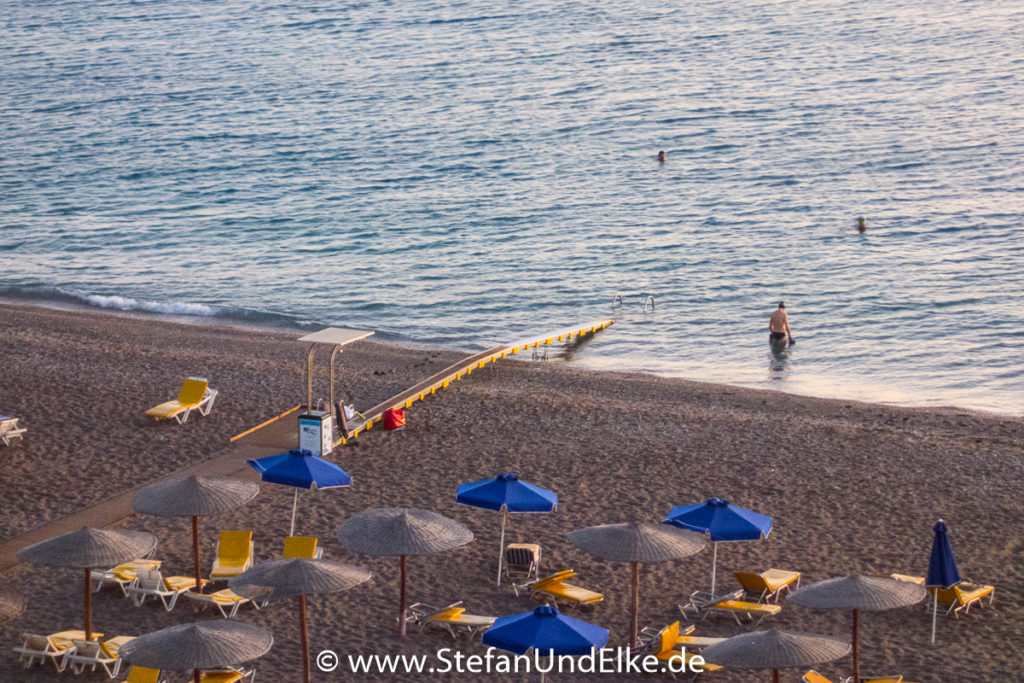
852 488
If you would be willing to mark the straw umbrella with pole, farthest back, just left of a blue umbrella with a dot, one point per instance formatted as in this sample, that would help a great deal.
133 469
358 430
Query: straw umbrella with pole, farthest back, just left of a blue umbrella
194 497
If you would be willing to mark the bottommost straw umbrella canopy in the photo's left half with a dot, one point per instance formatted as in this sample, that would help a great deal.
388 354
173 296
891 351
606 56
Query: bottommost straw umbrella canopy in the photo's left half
200 646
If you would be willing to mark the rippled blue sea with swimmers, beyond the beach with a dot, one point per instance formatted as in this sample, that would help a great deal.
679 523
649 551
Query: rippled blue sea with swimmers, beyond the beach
468 174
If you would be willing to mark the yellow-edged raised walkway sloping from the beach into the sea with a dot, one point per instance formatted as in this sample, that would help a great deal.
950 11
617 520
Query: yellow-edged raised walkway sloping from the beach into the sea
465 368
